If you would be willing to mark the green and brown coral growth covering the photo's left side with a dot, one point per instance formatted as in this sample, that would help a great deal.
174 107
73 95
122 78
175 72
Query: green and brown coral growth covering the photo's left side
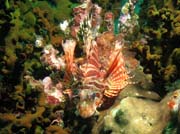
23 106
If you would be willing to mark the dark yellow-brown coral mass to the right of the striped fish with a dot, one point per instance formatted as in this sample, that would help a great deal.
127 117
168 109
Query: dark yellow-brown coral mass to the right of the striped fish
159 55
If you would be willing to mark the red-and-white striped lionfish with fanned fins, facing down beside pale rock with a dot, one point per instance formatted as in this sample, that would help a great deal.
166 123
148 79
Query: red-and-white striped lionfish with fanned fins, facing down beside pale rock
100 81
